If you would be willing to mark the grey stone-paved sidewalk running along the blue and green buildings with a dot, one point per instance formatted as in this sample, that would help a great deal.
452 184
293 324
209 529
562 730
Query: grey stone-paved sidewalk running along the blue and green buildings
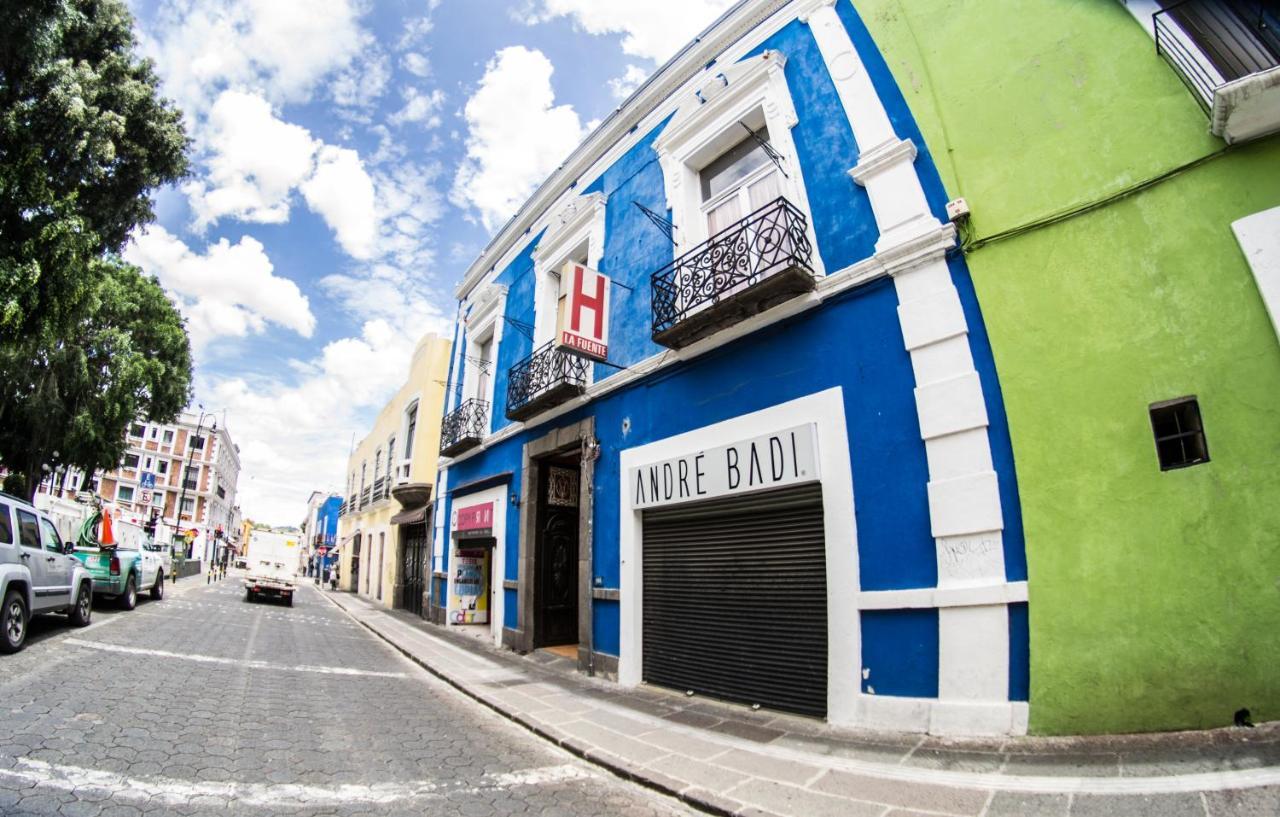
729 760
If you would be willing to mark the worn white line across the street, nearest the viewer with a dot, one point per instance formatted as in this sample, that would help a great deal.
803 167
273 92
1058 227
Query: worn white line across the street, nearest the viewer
175 792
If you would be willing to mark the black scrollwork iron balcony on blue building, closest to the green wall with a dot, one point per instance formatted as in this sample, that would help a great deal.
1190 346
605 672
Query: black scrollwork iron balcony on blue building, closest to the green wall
746 270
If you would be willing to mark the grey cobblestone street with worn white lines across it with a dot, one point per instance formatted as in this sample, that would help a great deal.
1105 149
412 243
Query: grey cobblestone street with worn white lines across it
207 705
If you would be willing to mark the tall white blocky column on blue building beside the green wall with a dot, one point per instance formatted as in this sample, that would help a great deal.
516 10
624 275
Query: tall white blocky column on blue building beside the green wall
964 499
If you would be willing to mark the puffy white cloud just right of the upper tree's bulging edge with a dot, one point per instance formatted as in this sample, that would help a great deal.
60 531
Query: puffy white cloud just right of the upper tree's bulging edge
254 162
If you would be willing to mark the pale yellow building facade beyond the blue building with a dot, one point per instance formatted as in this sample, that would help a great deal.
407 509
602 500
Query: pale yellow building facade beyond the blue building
394 462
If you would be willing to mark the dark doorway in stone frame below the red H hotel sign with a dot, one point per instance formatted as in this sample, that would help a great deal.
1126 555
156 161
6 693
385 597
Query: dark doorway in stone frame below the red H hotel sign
556 563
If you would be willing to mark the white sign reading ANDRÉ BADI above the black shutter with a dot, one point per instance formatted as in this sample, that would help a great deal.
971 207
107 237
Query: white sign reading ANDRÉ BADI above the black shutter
785 458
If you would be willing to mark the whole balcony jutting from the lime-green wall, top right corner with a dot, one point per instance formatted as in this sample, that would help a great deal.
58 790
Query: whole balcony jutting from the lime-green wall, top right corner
1228 56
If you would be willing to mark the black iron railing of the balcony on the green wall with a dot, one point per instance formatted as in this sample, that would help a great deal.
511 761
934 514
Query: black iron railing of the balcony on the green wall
1214 43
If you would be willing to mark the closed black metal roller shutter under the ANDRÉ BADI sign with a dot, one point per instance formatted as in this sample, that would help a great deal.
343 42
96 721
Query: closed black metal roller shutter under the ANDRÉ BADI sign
735 600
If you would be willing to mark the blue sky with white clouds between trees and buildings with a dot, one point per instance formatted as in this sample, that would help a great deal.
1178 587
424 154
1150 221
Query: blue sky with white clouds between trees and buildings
350 159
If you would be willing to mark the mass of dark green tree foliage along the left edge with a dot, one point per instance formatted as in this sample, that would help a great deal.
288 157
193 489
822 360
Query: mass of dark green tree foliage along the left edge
86 343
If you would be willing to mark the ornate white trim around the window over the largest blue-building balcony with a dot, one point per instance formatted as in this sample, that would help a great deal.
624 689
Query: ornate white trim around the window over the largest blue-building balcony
706 126
